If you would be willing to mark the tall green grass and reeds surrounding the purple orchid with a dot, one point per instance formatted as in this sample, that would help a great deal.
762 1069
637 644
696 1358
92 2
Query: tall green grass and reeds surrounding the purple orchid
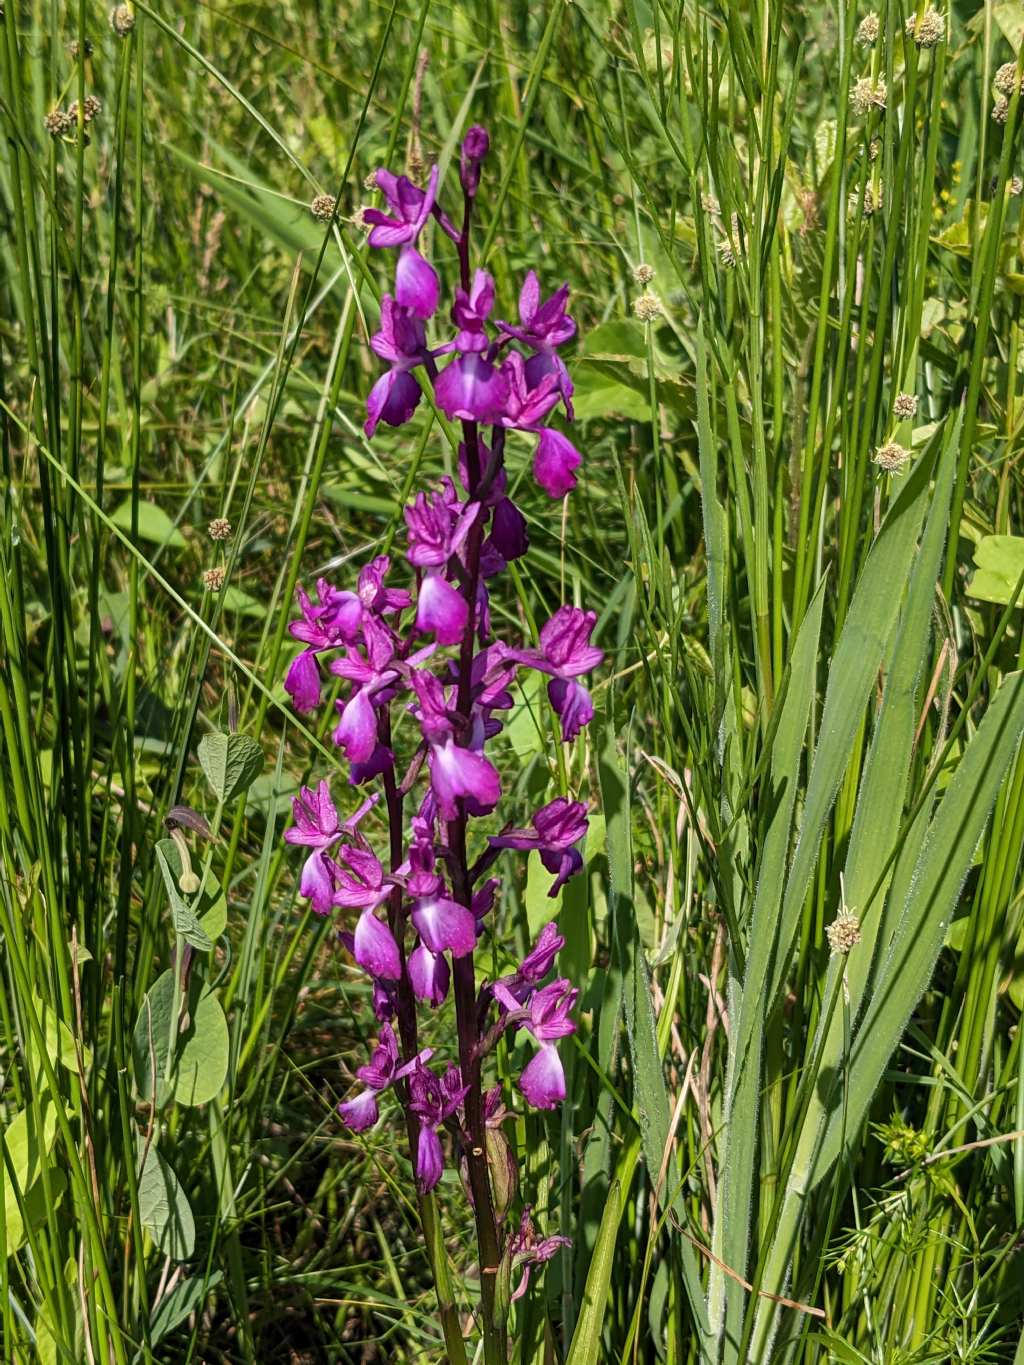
812 709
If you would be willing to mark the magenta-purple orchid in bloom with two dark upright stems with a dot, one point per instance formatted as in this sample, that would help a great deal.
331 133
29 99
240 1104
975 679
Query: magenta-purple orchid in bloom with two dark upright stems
428 683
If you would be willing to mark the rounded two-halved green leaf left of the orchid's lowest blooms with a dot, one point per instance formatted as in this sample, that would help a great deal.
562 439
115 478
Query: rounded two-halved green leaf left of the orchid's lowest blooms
201 1054
